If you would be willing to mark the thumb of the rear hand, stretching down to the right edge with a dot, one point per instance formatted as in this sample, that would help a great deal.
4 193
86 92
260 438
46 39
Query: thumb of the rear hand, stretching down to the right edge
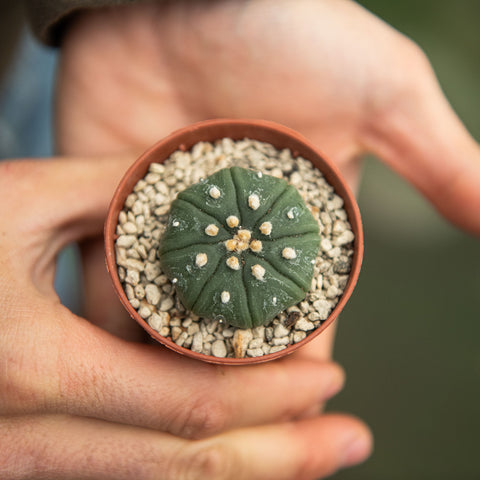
418 134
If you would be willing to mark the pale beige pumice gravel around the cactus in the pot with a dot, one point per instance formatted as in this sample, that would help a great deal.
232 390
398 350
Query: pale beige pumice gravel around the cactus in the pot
144 219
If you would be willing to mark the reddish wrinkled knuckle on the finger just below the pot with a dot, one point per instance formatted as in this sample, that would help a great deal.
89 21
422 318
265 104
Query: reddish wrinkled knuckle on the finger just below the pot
204 417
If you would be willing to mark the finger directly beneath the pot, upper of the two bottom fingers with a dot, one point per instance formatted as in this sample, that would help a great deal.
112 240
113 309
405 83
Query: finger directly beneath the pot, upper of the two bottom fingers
100 376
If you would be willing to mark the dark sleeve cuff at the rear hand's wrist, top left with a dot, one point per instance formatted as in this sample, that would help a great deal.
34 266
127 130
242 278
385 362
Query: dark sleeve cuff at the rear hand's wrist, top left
49 18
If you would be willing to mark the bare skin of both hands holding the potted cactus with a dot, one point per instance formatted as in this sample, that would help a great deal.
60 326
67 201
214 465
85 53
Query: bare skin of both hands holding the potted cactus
84 398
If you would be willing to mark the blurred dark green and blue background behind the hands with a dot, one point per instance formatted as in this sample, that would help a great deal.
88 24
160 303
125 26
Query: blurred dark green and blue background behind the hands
410 336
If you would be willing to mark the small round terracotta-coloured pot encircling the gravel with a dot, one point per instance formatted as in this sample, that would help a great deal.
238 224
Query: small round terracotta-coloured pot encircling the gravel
209 131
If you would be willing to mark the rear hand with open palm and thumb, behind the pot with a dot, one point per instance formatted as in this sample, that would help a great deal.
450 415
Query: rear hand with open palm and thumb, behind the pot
330 70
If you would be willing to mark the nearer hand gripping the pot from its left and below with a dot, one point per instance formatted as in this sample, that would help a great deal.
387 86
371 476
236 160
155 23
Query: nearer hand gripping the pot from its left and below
78 402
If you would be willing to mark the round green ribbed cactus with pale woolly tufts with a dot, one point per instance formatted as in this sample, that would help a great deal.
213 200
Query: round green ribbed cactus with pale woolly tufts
240 246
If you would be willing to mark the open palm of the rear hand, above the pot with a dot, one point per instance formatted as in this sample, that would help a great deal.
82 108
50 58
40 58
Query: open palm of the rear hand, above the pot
154 69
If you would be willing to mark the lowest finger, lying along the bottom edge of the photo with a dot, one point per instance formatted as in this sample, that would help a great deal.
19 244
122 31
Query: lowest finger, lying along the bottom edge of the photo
82 448
